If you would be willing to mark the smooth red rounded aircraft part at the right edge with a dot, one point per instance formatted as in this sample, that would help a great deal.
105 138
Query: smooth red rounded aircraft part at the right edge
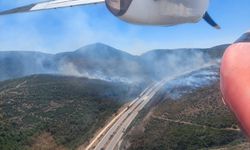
235 82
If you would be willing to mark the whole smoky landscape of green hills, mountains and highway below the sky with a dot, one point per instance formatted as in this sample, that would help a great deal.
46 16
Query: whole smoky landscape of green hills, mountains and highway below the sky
99 97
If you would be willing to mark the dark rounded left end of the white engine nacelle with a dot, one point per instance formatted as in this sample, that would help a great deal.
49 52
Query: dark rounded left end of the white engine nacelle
118 7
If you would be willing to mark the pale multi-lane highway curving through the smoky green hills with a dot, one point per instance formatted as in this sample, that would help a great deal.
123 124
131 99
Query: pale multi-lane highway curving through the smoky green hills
111 135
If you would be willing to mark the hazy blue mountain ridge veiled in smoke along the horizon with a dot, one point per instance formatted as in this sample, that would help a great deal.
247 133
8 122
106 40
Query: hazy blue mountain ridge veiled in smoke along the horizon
104 62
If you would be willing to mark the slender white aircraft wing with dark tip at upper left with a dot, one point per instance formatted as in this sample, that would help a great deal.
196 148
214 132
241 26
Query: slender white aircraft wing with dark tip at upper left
50 5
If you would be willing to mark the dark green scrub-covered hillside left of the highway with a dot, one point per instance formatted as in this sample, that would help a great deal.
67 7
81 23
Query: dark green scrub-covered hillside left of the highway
64 110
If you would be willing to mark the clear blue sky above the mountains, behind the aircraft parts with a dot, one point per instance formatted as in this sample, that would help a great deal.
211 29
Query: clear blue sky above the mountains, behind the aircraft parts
67 29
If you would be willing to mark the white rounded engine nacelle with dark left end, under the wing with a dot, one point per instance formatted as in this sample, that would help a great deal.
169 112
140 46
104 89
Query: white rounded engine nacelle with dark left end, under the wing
158 12
